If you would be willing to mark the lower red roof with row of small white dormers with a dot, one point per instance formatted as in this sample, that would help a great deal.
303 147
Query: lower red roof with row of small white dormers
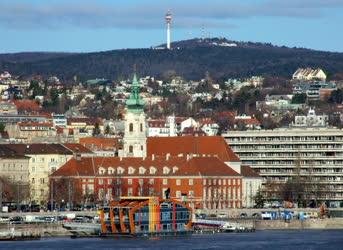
198 166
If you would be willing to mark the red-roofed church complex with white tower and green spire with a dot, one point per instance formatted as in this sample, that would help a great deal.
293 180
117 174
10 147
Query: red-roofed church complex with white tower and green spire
202 171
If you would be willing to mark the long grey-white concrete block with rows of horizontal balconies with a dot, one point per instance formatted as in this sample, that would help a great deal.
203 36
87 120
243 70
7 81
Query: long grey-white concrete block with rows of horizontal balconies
313 154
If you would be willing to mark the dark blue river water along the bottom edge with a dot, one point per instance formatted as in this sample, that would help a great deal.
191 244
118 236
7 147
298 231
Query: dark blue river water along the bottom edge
295 239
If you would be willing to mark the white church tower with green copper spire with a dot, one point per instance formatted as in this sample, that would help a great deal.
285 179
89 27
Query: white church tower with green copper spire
135 124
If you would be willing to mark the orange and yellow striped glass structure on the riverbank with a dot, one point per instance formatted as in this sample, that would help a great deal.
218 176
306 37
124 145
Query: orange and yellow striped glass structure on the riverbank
146 215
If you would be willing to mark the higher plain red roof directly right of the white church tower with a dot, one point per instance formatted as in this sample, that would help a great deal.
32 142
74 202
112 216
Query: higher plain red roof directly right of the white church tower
202 145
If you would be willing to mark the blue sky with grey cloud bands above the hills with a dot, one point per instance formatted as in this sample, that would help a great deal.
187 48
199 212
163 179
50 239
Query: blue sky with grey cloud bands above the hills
86 25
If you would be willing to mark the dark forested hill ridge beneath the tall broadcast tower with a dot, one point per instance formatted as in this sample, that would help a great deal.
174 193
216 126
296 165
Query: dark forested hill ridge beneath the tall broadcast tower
189 58
